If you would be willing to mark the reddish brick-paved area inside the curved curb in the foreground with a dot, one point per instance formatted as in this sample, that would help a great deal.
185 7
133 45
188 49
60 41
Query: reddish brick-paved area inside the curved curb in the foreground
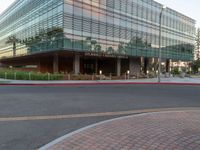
153 131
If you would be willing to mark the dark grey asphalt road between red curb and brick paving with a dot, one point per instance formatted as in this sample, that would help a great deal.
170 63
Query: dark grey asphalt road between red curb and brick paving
27 101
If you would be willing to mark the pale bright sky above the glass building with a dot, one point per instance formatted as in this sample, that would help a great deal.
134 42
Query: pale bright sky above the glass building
190 8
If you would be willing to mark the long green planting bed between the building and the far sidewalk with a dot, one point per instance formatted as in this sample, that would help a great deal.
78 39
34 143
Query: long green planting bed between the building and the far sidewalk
24 75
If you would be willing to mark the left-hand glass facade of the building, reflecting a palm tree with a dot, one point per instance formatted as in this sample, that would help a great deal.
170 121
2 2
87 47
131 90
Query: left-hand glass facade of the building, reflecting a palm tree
35 25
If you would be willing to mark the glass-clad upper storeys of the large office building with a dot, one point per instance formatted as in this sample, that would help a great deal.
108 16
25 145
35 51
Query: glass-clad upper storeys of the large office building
112 29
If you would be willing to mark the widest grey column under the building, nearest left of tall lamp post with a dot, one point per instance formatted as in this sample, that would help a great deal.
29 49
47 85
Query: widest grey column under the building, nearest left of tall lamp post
135 65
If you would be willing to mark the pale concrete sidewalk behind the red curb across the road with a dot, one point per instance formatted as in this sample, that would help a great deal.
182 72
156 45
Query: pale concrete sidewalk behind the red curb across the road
137 81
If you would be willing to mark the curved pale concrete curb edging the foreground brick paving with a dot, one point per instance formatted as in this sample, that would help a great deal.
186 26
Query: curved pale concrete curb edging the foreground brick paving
56 141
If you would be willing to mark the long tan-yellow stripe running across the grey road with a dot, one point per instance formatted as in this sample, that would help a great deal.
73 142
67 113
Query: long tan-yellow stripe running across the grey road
103 114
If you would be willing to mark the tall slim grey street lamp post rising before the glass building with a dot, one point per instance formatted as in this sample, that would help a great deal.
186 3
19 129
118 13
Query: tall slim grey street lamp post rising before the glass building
160 30
